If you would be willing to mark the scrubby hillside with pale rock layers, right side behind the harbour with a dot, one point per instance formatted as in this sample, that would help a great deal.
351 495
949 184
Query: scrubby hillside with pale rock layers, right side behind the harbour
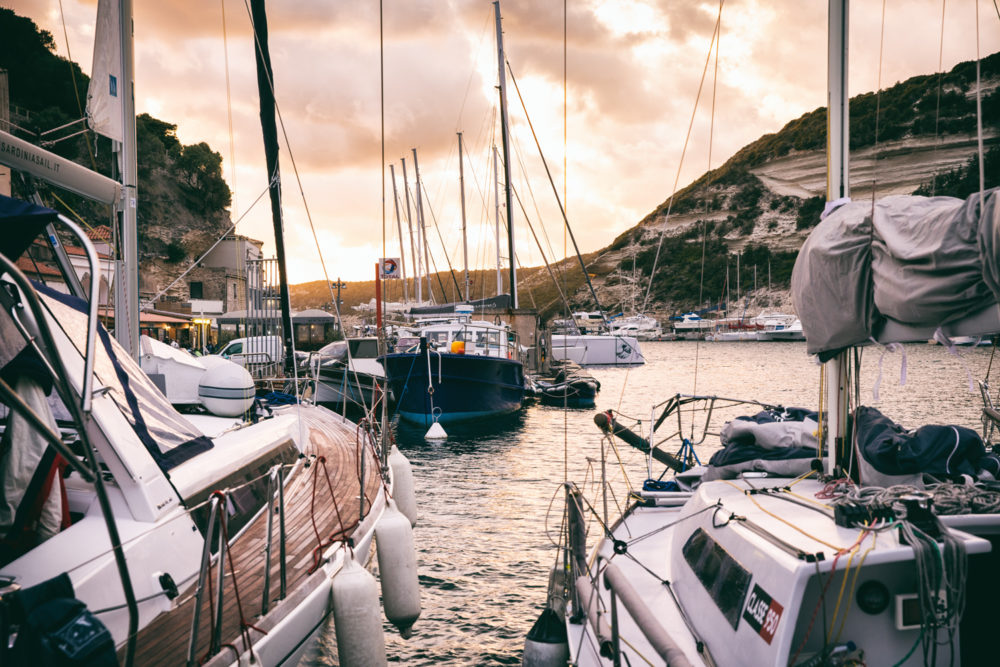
763 201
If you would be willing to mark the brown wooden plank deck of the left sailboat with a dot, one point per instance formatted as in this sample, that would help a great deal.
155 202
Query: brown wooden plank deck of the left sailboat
165 640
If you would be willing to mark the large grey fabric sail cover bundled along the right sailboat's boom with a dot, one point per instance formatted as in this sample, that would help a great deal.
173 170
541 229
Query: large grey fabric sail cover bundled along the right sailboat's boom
907 263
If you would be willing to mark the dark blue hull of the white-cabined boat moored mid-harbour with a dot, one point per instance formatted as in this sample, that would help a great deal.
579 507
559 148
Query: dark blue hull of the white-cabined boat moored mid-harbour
467 387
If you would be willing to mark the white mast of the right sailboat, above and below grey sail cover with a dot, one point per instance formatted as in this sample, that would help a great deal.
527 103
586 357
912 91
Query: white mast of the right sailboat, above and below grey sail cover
837 187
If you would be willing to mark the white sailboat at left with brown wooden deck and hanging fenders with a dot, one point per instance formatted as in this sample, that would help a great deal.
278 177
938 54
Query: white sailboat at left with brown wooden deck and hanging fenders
135 534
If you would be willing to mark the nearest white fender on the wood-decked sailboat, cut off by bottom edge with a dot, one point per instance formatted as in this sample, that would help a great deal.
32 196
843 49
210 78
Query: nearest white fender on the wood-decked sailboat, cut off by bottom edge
356 617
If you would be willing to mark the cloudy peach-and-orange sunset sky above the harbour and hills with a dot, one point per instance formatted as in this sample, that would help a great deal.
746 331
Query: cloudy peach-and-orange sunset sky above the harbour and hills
632 70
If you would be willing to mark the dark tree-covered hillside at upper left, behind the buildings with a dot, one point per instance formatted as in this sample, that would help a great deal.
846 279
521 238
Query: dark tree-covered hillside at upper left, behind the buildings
184 199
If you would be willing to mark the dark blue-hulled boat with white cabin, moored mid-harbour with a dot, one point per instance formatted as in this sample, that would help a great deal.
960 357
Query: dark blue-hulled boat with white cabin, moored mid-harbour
456 371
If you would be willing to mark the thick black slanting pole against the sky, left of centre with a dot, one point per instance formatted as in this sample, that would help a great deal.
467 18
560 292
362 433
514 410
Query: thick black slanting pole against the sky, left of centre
265 89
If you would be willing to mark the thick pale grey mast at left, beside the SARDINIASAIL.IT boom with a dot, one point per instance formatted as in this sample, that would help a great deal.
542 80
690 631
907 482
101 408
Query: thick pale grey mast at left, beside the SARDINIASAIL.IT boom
127 294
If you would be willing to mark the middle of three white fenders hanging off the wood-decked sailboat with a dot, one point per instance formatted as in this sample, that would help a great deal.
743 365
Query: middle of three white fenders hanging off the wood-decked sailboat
397 567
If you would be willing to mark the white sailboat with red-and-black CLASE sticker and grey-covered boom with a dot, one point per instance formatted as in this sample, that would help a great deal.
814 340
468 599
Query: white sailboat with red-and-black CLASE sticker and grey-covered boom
809 538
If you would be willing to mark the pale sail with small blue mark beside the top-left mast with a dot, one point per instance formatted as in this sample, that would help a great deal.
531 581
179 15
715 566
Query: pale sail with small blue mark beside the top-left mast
104 102
